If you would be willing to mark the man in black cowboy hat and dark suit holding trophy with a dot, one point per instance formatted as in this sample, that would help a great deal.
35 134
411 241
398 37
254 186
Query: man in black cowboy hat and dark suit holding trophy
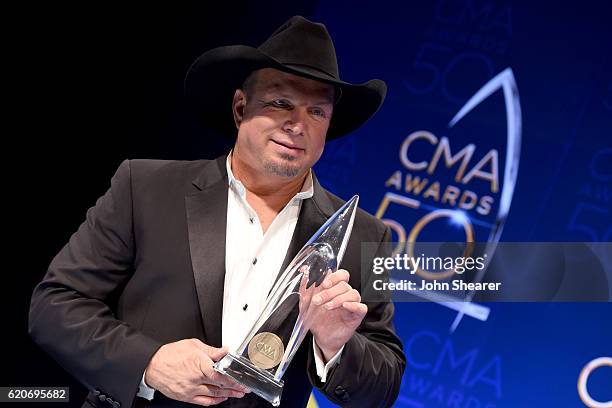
177 258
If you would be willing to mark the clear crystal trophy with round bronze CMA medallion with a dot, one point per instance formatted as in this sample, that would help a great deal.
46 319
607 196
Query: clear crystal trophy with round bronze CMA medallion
266 352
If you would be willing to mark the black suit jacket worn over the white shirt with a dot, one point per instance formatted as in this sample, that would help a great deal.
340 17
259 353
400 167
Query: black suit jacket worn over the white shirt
147 268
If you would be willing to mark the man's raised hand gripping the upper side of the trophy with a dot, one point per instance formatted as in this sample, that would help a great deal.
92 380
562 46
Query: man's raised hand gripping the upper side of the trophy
335 313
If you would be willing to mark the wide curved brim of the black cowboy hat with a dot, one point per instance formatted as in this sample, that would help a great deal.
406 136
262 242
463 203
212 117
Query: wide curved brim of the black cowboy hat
213 77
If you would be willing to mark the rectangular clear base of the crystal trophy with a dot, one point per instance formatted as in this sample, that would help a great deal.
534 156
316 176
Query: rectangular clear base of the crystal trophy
257 380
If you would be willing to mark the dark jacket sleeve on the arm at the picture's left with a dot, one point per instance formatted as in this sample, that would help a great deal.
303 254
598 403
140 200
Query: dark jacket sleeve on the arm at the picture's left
71 316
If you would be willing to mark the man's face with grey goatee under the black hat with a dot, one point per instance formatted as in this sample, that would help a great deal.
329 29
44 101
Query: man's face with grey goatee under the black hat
282 122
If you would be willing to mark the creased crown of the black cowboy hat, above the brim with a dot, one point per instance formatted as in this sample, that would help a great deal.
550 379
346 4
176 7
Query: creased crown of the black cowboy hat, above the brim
303 43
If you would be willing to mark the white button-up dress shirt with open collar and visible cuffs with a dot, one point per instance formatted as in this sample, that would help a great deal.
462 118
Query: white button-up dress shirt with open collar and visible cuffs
252 261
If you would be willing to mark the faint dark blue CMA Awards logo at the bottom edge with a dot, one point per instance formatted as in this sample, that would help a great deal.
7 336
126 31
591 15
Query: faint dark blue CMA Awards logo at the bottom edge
433 359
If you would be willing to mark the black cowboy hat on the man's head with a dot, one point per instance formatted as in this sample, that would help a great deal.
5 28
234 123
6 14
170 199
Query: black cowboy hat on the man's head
299 47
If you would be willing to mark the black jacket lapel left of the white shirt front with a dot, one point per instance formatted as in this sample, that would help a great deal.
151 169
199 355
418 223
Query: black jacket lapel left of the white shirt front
207 220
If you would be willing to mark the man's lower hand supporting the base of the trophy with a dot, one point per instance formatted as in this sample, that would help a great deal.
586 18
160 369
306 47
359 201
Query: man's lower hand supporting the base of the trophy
183 371
